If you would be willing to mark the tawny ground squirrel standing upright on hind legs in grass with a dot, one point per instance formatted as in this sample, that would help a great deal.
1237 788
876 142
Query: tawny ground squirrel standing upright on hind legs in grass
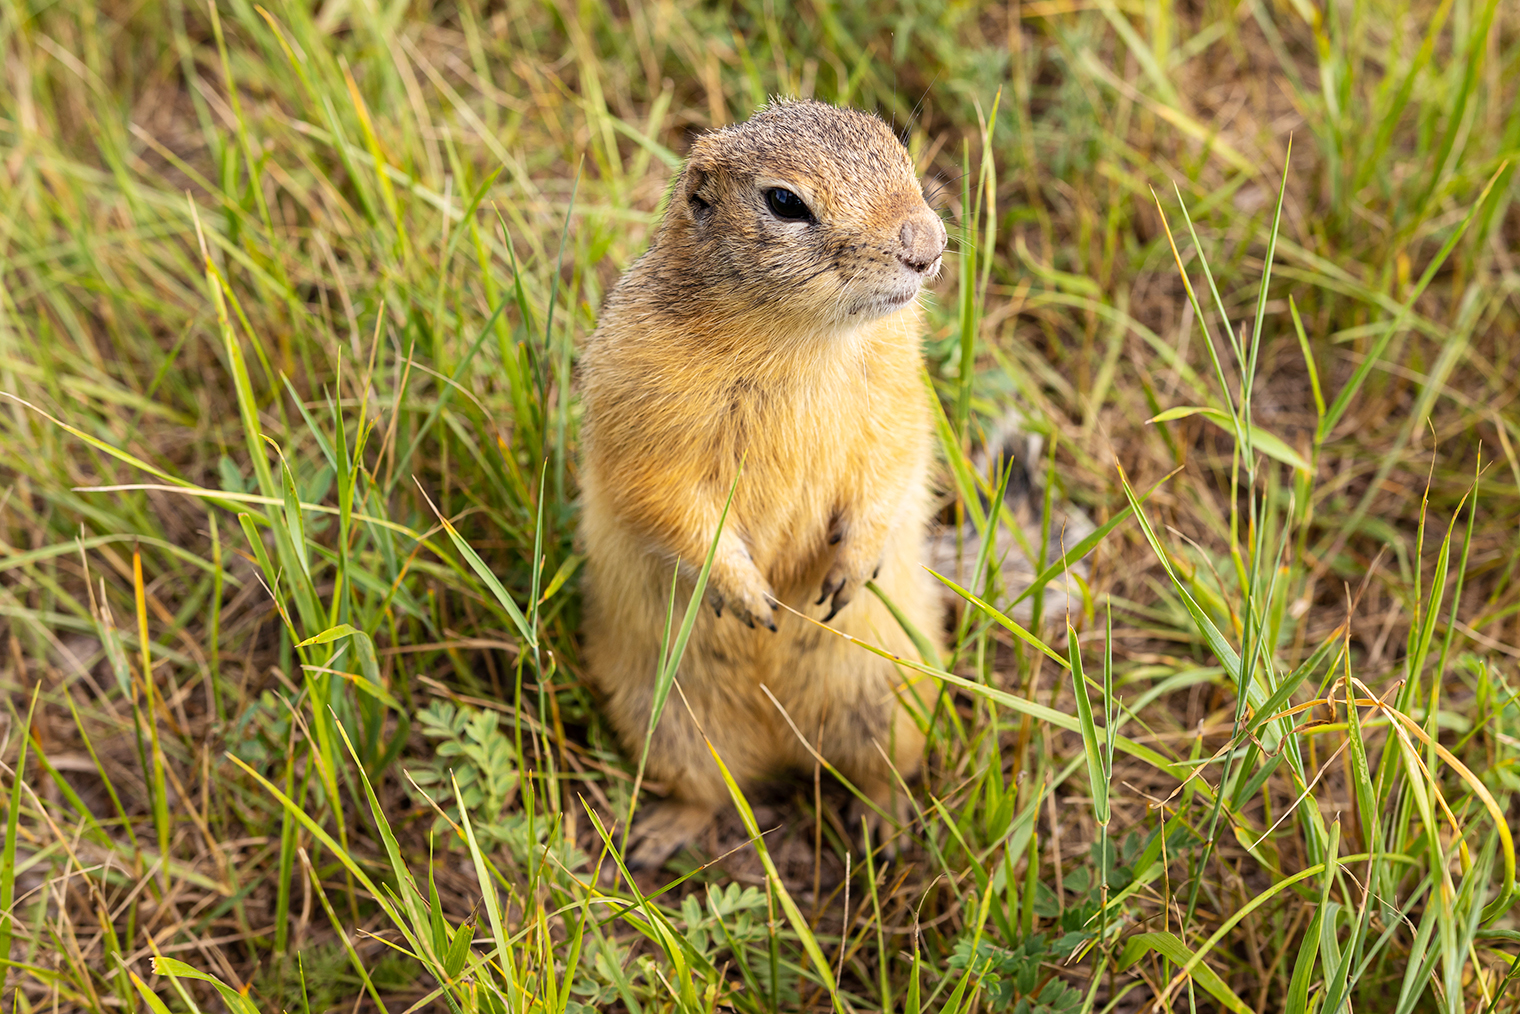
773 322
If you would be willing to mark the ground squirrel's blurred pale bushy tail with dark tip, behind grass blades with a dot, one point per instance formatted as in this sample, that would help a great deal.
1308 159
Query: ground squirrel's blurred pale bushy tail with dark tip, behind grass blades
955 553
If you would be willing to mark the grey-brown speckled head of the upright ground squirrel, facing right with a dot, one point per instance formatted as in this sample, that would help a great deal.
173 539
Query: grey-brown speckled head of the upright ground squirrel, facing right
805 214
